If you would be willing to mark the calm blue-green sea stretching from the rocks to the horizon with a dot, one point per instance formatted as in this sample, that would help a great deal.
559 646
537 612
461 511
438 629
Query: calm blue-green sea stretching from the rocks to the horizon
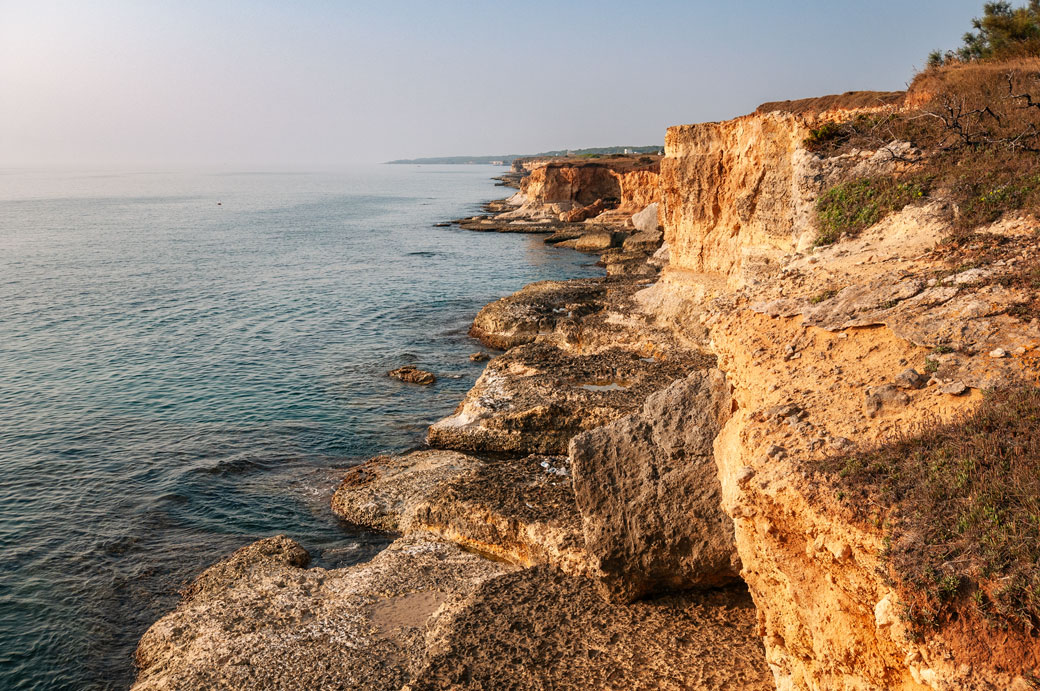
189 362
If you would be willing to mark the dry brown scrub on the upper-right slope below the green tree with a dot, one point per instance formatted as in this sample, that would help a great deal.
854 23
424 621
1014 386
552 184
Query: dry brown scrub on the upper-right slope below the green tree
978 130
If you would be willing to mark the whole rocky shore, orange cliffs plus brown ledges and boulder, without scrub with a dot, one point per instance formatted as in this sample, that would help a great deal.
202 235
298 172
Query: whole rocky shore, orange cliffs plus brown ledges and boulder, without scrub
631 495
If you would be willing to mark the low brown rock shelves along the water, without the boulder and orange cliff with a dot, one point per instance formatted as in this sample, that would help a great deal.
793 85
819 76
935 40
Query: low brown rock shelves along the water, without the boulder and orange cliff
489 526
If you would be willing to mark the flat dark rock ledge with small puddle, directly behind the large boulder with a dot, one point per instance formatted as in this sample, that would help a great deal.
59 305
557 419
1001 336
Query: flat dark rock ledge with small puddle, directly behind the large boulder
534 399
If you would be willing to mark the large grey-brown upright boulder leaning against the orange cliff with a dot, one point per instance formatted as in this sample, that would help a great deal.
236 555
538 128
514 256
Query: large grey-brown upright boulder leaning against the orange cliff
649 495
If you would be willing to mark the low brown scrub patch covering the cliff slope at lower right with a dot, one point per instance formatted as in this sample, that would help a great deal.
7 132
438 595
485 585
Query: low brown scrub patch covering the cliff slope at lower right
960 504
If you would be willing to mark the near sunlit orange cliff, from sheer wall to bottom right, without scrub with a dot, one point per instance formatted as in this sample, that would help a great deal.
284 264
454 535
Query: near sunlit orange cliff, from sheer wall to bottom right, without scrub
816 345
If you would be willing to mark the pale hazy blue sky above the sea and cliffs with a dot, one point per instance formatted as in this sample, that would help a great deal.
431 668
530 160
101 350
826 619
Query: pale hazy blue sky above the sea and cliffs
322 84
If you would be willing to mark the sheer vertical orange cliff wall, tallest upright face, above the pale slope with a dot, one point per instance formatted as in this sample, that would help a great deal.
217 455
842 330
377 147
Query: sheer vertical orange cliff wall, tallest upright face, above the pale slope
737 195
